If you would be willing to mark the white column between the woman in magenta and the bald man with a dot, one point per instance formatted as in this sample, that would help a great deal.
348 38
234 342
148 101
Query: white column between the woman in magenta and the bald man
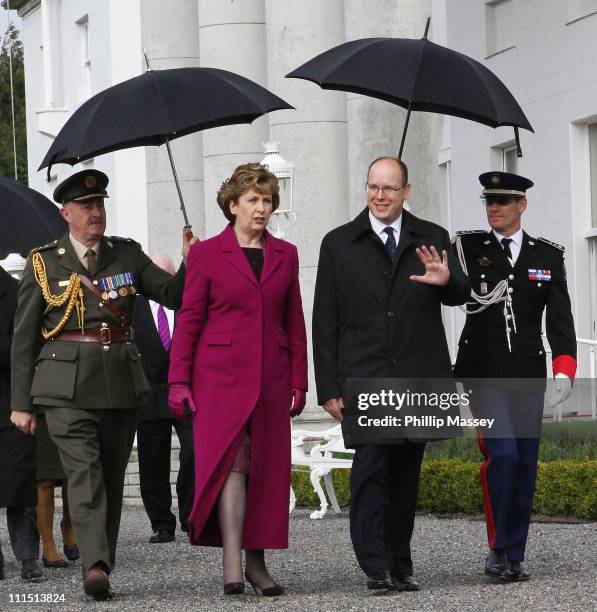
313 136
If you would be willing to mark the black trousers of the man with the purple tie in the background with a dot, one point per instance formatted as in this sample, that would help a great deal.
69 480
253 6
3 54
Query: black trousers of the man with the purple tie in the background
153 449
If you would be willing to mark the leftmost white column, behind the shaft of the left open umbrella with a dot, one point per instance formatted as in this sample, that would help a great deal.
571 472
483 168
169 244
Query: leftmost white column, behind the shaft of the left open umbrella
170 38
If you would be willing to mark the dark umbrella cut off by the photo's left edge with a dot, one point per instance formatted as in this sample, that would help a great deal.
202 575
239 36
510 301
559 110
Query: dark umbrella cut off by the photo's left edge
27 219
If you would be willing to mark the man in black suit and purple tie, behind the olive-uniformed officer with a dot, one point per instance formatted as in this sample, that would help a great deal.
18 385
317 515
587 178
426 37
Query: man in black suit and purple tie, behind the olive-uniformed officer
153 327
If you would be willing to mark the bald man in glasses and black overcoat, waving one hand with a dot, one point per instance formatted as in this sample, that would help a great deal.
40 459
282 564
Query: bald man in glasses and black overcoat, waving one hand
381 281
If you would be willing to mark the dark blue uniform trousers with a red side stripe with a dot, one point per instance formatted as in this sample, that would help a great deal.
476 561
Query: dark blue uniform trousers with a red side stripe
509 472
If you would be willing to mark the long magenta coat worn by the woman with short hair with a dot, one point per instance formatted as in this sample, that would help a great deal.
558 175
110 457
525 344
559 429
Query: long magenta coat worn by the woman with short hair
241 346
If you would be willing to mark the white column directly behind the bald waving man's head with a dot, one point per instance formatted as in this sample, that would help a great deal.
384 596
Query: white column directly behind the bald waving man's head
375 126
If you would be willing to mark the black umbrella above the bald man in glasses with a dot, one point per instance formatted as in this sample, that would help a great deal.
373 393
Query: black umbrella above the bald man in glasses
417 75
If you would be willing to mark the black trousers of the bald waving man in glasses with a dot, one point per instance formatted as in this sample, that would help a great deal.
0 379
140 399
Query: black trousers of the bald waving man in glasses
384 484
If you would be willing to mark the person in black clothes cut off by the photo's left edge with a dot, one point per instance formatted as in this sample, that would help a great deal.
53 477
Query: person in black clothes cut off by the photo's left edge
17 453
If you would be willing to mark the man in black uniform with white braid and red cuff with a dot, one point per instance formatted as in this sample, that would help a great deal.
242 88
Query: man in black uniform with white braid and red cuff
515 278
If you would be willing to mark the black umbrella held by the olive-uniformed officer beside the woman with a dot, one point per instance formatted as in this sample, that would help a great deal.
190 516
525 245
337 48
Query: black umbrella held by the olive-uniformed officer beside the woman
157 107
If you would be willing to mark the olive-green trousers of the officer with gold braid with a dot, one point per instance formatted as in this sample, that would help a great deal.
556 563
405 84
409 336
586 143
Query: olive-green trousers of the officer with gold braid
94 448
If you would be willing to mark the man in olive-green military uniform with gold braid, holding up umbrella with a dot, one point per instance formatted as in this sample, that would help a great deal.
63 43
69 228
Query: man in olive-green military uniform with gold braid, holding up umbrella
79 291
